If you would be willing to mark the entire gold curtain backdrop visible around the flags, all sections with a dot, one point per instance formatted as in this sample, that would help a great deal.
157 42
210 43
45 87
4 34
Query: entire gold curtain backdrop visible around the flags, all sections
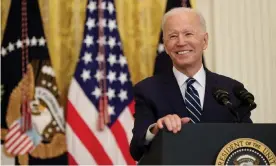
139 24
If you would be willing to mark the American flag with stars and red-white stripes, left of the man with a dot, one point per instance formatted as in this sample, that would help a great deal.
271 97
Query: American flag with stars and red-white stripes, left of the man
101 75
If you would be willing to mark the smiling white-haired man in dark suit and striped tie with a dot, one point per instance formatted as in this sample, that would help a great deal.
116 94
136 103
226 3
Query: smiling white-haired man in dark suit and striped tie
185 93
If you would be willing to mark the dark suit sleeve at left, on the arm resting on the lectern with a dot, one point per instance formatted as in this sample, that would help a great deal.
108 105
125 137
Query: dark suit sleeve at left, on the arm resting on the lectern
144 117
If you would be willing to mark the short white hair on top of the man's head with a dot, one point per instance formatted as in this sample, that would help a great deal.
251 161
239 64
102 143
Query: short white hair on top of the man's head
184 9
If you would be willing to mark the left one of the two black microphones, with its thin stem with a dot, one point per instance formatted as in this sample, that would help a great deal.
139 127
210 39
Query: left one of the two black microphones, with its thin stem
223 98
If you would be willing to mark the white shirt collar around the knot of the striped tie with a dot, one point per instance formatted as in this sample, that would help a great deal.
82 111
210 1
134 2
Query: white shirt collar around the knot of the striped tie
200 77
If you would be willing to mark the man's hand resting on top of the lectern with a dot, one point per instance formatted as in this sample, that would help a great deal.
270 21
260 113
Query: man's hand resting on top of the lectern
172 122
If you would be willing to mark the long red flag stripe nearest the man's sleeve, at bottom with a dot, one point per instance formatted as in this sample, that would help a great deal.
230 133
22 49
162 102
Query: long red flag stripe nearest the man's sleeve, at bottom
122 141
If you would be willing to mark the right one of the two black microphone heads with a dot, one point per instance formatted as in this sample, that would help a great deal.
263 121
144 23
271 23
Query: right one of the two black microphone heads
245 96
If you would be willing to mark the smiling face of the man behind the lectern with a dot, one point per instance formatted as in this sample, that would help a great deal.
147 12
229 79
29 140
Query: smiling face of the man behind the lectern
184 39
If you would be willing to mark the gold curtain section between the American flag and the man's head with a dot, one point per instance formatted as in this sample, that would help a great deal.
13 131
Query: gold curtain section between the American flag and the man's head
139 24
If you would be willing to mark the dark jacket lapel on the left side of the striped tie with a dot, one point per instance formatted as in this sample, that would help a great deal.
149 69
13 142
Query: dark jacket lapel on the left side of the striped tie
173 94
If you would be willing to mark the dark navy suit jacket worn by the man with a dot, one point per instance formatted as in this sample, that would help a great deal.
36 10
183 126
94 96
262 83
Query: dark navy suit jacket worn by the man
160 95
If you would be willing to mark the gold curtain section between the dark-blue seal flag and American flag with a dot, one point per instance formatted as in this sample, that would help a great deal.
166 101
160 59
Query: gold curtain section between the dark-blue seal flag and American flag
63 22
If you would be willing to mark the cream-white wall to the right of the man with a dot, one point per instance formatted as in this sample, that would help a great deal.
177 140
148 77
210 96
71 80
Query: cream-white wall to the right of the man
242 45
